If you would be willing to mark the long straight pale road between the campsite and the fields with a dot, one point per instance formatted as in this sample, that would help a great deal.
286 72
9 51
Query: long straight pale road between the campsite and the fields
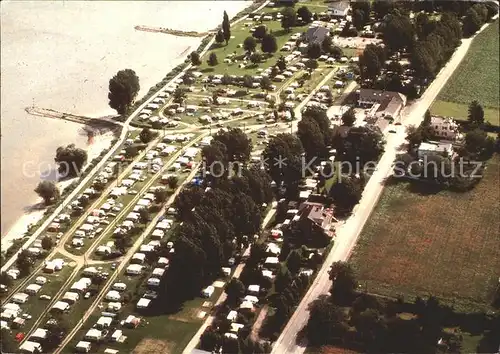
348 233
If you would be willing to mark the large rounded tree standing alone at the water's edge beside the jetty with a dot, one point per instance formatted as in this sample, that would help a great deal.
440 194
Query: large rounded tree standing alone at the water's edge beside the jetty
123 89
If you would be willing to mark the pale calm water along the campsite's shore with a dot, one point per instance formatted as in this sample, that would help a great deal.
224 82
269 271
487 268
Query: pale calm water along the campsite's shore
61 55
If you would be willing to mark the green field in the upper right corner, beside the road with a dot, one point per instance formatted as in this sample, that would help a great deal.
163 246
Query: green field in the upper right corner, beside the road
475 79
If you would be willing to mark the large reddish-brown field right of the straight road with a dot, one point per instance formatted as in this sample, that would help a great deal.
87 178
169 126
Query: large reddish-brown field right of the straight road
445 244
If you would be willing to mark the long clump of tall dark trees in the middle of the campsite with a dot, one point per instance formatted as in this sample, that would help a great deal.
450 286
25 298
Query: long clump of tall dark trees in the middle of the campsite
217 221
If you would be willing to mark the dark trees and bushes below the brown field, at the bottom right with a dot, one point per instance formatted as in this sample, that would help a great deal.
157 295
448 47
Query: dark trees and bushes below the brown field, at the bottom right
372 325
